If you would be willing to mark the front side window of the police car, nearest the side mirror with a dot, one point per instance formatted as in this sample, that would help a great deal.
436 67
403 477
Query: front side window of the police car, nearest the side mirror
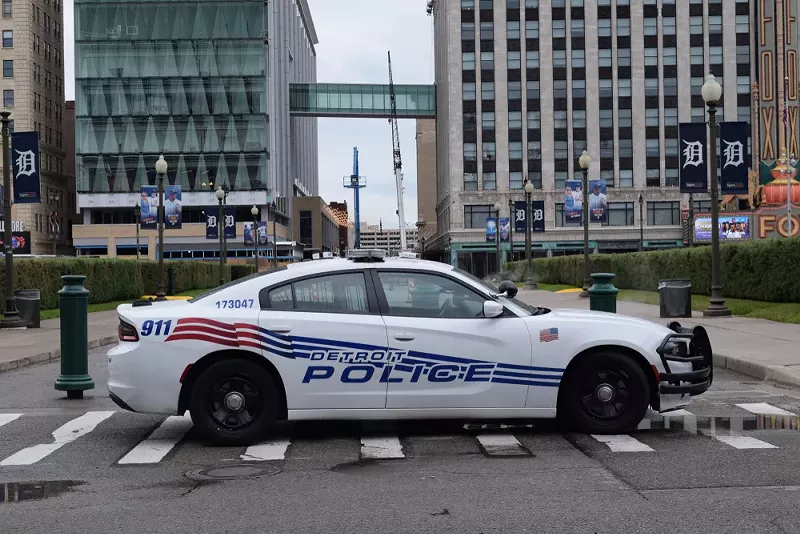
429 295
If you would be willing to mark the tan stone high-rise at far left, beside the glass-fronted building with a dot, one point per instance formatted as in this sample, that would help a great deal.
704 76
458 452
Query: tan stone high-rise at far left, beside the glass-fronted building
32 85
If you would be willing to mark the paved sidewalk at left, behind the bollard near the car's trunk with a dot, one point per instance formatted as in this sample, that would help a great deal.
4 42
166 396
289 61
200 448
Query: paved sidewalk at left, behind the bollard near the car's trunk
19 348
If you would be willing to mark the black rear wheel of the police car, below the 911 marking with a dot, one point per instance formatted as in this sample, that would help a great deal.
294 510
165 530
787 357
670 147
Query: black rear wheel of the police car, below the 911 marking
233 402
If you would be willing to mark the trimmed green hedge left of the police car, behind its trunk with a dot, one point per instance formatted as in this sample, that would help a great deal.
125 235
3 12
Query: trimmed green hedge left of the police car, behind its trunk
110 280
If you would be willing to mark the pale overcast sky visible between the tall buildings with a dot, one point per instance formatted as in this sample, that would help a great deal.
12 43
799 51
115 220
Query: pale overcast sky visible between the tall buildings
354 36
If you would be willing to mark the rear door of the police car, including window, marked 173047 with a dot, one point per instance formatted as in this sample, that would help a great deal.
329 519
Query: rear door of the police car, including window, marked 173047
327 339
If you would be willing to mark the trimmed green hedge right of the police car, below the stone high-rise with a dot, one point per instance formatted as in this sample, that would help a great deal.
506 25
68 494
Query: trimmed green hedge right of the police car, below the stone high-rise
754 270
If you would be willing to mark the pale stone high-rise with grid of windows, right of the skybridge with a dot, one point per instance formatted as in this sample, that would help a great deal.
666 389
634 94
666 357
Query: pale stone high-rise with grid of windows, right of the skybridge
525 86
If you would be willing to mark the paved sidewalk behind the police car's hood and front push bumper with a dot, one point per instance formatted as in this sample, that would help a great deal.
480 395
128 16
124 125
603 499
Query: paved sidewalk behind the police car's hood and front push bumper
763 349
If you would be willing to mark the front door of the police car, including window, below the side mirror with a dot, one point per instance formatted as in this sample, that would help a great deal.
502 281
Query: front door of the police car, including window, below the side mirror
448 354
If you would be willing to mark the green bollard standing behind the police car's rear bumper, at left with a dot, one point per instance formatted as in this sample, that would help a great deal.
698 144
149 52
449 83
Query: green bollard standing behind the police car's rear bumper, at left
74 378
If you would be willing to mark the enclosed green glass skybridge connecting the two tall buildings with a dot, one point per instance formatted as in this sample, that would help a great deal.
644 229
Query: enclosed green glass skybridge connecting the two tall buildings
361 100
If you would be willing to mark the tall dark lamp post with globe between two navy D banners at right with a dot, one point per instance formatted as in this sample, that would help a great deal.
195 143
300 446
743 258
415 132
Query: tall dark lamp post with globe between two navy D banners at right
711 94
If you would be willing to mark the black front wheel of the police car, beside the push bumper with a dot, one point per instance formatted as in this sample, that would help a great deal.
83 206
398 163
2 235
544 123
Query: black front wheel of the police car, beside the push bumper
607 393
